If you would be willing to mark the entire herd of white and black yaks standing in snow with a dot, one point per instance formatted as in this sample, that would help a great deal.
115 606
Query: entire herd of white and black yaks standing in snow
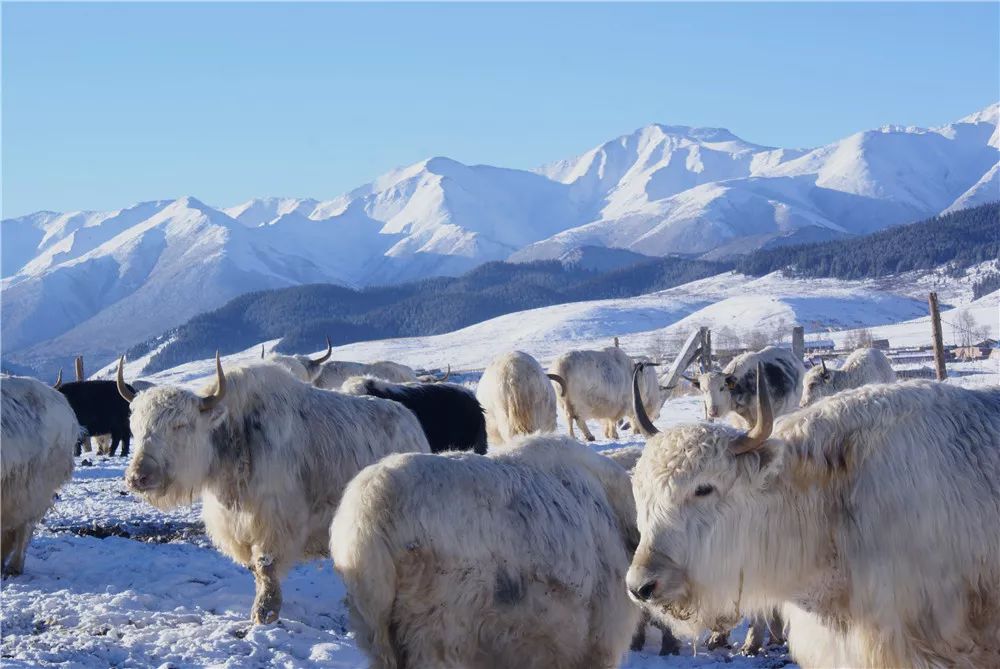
858 515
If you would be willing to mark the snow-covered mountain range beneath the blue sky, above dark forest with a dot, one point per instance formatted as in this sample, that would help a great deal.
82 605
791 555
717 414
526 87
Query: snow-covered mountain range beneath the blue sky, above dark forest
97 282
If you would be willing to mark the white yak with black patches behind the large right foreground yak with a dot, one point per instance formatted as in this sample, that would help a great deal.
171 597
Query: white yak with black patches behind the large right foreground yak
733 390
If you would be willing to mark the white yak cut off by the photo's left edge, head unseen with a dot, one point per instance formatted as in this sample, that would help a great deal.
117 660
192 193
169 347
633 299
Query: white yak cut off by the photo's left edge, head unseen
38 432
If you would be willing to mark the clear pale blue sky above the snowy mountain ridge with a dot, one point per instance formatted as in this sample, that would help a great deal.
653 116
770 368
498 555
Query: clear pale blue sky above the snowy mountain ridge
105 105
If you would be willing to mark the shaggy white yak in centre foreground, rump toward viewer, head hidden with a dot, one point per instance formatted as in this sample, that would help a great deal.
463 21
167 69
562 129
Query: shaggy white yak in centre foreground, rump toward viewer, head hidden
513 559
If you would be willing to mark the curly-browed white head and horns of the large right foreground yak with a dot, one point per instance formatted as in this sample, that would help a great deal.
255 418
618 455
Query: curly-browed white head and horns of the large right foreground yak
693 484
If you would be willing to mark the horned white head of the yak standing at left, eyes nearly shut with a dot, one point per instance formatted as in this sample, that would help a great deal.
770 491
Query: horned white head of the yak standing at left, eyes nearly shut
172 429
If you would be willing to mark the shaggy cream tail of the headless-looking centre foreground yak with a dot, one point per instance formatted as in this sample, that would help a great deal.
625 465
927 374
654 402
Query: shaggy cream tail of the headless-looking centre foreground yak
362 557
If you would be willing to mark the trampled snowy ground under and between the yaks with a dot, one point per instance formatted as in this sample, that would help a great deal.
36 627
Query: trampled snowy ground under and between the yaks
111 581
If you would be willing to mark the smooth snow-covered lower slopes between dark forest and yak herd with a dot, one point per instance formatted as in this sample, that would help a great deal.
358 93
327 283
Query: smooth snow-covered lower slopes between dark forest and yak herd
730 304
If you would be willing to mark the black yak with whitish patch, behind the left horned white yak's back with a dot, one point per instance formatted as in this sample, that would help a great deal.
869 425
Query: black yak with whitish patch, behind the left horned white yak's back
449 413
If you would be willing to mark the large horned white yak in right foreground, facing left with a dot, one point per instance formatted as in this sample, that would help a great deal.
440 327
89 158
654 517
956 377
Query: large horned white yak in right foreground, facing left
875 513
